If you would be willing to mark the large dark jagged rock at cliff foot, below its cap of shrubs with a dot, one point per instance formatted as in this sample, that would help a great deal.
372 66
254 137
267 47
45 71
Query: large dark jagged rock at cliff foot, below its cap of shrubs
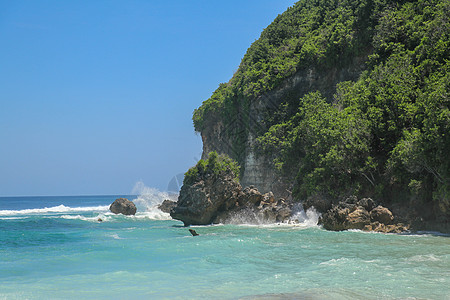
222 200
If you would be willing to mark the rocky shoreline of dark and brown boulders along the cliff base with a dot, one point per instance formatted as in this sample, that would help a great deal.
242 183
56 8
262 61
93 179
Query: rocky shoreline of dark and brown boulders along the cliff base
219 198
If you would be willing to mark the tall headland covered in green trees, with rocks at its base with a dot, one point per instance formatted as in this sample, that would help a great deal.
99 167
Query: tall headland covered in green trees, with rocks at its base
321 111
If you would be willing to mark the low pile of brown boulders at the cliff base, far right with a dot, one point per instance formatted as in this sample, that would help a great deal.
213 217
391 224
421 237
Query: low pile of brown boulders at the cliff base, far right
362 214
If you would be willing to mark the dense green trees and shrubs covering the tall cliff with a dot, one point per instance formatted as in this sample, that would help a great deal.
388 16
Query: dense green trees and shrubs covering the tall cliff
385 135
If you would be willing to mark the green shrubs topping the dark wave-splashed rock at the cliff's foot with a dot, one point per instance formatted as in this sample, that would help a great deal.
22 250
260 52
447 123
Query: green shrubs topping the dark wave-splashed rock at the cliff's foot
214 165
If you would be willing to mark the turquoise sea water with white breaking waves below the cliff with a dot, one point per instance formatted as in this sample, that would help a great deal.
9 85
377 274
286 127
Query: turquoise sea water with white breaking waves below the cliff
55 248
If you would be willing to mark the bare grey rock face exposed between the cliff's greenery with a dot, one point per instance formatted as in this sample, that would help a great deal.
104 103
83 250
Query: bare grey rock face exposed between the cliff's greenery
258 168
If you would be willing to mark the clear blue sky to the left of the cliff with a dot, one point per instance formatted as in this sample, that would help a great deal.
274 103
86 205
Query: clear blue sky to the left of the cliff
96 96
